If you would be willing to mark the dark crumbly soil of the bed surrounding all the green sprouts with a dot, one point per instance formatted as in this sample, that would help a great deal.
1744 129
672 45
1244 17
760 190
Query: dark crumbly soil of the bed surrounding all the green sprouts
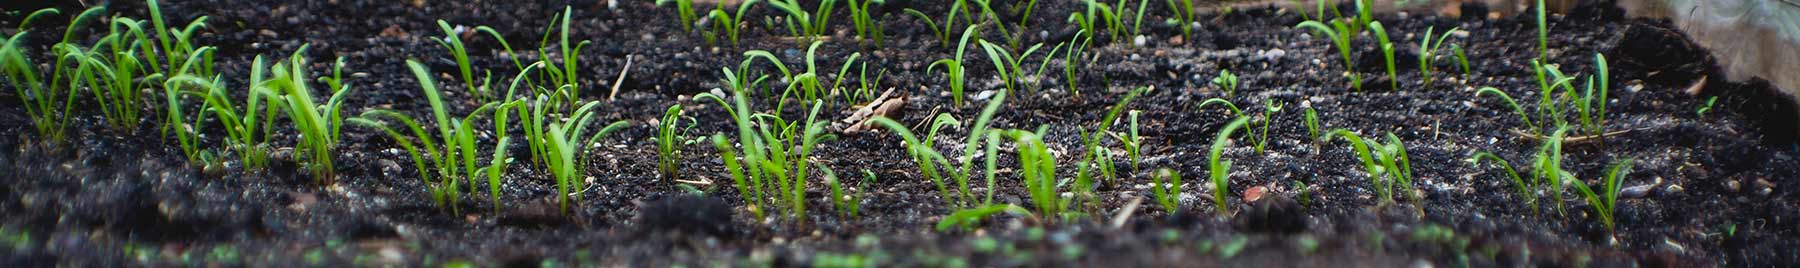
1722 184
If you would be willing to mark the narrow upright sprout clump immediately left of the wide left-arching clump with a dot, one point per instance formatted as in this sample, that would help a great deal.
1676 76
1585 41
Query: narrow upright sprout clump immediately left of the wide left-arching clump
319 127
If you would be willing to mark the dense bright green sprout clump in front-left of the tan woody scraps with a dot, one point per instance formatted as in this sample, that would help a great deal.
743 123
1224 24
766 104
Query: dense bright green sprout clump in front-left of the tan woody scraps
775 154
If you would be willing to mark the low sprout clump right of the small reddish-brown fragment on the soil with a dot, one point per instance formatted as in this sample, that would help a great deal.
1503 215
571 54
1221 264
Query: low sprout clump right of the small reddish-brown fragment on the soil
1387 163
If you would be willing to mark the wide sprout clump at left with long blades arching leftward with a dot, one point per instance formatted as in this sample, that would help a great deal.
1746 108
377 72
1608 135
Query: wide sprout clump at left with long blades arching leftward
449 166
